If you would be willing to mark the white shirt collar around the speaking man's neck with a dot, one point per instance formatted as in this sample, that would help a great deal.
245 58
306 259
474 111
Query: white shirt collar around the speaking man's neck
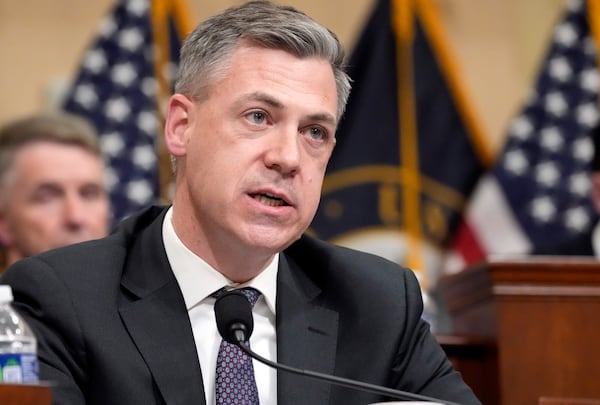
198 280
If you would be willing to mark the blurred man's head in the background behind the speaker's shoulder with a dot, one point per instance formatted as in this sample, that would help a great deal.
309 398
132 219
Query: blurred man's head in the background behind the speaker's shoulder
52 190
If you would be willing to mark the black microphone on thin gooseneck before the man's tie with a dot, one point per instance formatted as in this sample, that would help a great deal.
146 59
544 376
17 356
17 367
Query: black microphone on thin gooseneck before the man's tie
234 319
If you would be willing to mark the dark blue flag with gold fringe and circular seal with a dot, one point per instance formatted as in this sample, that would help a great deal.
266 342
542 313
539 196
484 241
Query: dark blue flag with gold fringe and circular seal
409 149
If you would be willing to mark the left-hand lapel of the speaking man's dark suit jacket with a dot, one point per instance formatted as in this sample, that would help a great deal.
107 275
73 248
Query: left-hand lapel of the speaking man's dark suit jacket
157 320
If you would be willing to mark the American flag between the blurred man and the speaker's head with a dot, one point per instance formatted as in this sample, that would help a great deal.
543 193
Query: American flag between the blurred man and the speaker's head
117 90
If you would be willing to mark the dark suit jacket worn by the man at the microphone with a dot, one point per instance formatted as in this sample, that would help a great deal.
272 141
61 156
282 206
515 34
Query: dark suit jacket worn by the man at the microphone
113 328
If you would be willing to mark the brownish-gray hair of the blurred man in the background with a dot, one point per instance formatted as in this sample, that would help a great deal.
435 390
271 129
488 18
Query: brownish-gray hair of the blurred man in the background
62 128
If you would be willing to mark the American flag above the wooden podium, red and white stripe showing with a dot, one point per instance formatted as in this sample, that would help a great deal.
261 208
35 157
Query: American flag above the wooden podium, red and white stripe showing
538 192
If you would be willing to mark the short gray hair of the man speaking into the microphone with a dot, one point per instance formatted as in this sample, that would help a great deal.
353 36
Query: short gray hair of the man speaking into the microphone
260 23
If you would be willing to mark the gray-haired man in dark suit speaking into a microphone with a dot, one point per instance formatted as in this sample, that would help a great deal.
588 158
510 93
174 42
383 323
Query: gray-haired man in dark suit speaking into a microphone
129 319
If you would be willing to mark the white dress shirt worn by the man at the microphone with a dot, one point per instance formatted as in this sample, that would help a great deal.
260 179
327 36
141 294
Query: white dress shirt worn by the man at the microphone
198 280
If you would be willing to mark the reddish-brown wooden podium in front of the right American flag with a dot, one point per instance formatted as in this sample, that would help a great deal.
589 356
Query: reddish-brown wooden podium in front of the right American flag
544 313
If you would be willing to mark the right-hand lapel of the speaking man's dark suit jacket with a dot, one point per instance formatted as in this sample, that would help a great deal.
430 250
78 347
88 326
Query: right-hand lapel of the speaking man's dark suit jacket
306 337
